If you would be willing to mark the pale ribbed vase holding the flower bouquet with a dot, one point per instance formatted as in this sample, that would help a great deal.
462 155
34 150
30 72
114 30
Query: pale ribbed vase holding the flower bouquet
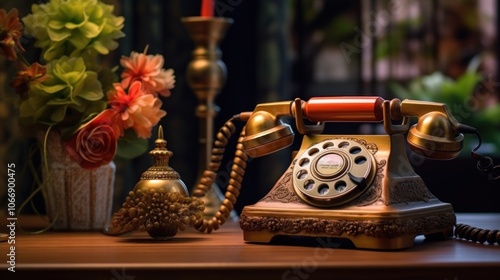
75 198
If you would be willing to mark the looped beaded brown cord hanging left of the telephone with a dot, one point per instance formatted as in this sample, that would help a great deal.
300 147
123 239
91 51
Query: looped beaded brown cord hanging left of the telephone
209 175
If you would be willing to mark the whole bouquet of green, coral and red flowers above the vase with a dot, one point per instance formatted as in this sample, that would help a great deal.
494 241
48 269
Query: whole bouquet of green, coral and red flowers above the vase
98 113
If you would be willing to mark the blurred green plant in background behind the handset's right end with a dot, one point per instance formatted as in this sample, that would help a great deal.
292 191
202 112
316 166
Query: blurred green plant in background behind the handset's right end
471 98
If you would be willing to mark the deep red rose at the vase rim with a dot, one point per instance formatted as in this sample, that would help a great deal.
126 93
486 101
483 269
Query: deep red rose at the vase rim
94 143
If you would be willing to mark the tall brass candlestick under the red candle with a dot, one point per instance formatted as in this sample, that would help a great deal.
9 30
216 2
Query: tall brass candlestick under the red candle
206 75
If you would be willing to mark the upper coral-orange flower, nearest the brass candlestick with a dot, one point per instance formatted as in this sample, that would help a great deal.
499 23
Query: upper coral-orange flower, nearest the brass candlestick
149 70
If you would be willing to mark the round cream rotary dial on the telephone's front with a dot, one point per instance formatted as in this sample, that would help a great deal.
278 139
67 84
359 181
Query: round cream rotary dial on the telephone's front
333 172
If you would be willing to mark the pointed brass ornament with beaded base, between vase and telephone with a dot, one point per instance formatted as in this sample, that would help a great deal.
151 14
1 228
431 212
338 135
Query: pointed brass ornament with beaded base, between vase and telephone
159 202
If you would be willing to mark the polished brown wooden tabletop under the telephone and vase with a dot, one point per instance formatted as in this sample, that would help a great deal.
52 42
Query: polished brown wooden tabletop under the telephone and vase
225 255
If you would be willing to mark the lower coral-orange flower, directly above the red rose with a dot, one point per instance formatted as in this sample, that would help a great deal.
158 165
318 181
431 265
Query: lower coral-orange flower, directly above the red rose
137 109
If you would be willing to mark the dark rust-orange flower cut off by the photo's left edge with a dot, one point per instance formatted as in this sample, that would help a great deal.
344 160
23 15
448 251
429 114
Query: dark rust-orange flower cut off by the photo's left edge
10 34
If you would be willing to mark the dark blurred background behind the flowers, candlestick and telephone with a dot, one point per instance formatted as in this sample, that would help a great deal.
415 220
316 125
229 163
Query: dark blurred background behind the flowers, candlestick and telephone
437 50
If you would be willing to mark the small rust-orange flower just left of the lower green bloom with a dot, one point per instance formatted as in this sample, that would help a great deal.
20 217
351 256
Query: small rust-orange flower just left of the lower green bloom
35 73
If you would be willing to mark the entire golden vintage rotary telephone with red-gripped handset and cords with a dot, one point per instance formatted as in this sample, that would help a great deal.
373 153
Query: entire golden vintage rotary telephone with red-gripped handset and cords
358 187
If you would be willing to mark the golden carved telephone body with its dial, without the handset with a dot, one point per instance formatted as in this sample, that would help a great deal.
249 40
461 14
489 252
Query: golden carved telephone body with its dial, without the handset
382 203
